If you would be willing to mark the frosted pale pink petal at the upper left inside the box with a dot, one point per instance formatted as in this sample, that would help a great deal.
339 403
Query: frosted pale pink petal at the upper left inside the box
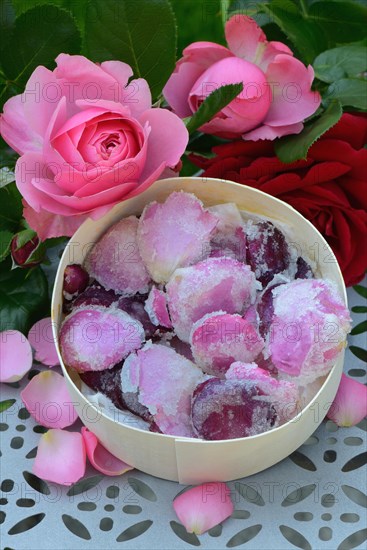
115 260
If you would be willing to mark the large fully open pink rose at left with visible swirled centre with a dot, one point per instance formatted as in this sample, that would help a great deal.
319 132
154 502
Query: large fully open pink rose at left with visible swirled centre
88 139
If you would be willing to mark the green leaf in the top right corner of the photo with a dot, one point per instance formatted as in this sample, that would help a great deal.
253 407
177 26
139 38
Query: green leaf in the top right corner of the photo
340 21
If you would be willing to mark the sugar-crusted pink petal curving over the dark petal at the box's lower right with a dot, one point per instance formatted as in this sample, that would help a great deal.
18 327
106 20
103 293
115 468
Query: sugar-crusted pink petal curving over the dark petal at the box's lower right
283 394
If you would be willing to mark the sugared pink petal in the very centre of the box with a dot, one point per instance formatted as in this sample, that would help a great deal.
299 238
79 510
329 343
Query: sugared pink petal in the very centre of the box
211 285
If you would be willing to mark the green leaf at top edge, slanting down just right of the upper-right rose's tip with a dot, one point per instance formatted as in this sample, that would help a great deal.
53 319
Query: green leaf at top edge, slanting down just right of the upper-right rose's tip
307 36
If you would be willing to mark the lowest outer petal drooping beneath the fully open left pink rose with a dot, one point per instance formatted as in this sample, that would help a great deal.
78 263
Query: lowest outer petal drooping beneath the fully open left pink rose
48 225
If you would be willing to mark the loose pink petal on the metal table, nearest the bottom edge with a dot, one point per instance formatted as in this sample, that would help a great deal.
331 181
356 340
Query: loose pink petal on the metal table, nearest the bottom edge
203 507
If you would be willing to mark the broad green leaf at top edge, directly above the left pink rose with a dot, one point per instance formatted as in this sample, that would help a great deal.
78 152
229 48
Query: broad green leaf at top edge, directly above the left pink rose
142 34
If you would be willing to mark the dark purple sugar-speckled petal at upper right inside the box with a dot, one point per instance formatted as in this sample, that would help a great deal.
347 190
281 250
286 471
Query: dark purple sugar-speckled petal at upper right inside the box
267 251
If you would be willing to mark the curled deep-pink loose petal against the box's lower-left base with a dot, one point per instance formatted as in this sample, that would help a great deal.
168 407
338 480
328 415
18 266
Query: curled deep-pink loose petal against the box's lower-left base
100 458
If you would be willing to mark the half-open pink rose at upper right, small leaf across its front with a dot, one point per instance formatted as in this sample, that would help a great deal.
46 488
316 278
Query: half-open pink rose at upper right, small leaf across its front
276 96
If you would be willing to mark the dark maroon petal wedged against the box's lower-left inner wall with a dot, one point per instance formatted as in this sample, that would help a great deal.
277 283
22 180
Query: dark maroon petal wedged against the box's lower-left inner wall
107 382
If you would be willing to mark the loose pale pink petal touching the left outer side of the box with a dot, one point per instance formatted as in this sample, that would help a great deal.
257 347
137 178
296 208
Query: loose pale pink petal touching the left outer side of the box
42 341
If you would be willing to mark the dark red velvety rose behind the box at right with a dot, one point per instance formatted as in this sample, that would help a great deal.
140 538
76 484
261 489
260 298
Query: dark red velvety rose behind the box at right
329 188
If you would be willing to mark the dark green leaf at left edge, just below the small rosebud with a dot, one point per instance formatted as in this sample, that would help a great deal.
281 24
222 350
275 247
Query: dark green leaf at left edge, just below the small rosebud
23 297
